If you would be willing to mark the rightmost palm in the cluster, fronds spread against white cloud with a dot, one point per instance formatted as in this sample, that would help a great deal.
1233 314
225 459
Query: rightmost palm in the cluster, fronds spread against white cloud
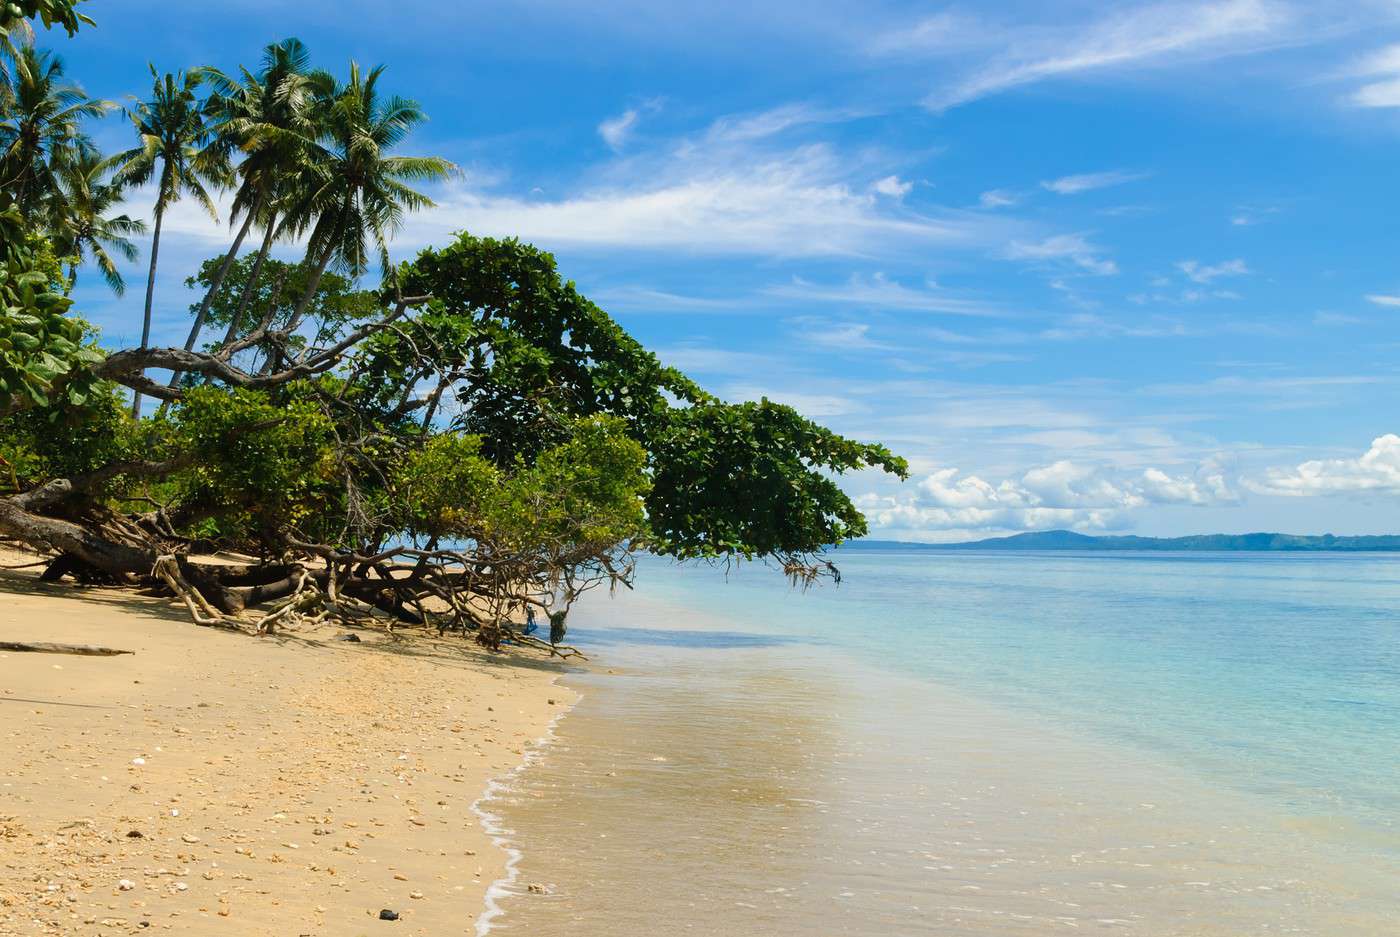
355 195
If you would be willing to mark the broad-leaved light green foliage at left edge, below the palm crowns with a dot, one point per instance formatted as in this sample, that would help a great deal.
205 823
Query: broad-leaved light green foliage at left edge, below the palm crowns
43 348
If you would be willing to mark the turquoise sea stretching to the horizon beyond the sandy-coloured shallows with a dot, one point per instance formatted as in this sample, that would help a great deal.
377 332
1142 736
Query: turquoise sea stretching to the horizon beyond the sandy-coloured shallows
1276 674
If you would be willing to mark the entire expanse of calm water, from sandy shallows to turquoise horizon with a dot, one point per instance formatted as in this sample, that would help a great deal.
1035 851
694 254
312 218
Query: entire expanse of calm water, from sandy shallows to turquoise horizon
978 744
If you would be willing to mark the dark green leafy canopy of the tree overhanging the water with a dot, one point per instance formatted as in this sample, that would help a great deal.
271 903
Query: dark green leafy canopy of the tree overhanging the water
534 355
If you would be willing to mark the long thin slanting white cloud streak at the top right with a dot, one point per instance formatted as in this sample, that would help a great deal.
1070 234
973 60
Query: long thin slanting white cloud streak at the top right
1136 37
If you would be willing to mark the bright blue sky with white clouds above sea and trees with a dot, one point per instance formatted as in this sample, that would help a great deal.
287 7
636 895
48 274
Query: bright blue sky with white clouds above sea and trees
1105 267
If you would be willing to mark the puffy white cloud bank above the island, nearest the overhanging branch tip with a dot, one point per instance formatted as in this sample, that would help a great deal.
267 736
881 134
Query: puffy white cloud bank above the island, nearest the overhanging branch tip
1059 495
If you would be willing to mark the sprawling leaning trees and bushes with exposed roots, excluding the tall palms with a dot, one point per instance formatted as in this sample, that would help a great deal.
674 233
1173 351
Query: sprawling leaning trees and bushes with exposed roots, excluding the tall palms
471 443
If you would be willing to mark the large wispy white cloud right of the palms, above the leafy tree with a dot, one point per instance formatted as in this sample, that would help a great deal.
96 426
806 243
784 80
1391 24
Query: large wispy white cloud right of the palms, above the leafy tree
731 190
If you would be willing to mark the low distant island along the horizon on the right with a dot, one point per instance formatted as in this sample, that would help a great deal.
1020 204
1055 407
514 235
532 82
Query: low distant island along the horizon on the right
1200 543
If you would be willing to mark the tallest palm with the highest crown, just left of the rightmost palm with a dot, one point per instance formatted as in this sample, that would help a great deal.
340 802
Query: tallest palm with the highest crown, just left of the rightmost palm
265 117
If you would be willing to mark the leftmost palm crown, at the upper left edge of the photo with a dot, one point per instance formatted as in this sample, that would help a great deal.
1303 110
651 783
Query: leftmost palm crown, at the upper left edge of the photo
41 128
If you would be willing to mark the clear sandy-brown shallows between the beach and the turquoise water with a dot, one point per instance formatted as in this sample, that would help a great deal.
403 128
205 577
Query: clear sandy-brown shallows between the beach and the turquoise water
922 807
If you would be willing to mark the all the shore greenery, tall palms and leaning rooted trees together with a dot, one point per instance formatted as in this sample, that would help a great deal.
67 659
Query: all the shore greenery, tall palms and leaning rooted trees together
464 445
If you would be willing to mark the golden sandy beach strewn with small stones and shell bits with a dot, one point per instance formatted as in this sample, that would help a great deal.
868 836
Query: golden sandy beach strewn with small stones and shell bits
216 784
